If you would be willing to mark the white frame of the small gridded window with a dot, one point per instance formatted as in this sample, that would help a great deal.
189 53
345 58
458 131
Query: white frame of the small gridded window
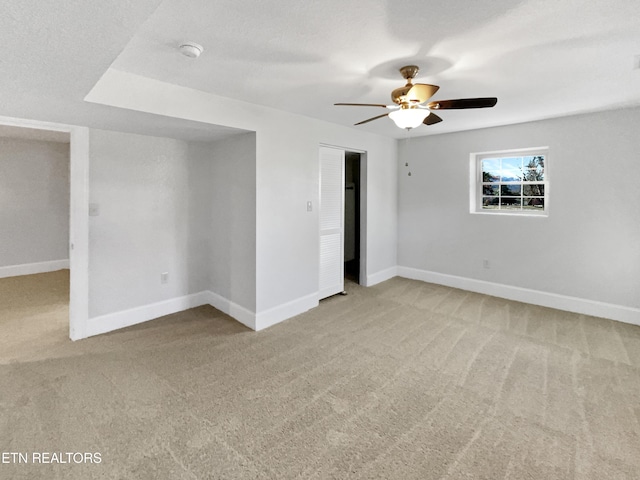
476 181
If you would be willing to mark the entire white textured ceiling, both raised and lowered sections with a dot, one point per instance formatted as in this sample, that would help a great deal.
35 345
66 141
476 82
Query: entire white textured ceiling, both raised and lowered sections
541 58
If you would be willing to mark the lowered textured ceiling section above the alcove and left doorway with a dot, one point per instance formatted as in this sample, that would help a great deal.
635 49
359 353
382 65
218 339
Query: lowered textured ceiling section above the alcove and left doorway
53 53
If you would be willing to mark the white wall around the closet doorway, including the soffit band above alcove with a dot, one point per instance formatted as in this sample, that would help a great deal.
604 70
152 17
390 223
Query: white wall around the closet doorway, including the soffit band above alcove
287 176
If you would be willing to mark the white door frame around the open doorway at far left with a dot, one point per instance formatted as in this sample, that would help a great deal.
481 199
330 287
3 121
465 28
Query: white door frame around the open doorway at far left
78 218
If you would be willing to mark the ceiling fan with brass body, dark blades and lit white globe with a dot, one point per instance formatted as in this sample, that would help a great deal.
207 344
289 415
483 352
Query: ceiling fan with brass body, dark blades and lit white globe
410 110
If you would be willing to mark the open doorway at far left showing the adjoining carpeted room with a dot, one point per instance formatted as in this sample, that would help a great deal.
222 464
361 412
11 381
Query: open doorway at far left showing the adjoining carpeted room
34 251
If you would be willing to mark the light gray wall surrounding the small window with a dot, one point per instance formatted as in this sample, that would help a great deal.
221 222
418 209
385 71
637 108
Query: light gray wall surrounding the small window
589 245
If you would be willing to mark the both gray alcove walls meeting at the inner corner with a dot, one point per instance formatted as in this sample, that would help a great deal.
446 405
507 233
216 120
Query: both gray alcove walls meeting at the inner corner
165 205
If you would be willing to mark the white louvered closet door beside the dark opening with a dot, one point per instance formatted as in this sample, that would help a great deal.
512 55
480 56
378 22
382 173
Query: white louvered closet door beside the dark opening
331 221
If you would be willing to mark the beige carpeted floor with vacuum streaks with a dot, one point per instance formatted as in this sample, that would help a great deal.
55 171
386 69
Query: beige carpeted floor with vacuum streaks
403 380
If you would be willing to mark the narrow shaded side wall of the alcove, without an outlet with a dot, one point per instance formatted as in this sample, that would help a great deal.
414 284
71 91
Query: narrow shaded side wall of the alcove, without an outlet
230 197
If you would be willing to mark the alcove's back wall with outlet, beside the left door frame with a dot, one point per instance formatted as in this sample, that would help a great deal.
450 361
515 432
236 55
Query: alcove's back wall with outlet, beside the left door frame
145 189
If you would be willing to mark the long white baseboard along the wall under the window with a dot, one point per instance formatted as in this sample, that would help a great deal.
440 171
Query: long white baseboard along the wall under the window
552 300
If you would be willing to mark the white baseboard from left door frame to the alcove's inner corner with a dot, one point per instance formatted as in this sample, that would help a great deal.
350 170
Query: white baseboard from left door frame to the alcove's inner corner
144 313
